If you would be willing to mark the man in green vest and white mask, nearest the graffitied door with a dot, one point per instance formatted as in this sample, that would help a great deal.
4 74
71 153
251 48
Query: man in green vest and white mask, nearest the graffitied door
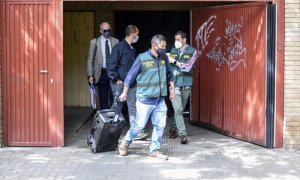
182 59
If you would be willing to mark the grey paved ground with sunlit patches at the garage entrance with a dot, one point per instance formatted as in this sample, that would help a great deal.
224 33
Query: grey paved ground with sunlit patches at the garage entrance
208 156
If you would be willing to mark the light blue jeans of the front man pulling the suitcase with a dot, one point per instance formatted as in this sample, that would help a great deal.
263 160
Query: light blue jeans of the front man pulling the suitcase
158 114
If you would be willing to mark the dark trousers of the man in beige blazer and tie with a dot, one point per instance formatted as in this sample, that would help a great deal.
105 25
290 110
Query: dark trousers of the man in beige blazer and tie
104 92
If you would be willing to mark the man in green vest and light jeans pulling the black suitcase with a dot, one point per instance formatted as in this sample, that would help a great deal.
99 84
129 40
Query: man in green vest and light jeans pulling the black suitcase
151 70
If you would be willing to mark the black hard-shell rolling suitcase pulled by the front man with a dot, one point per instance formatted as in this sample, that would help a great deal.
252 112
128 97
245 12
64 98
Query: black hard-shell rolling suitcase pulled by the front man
106 131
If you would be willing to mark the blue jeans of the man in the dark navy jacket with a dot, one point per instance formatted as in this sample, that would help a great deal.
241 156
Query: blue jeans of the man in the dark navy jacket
131 101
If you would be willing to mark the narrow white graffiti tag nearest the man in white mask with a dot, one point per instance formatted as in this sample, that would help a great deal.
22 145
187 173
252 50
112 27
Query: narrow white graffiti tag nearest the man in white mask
203 34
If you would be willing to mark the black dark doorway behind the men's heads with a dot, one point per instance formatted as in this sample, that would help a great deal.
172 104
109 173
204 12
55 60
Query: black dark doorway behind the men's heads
150 23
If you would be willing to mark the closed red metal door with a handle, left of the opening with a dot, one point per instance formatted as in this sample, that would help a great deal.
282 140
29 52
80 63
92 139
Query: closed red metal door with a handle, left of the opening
32 74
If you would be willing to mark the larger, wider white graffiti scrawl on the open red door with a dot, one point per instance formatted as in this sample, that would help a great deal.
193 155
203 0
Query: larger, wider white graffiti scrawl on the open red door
231 51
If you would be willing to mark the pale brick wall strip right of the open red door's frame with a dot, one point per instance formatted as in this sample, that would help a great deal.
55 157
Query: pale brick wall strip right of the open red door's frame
291 137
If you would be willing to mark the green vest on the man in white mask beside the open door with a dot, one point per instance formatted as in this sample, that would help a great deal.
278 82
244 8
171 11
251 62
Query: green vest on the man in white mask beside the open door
182 78
